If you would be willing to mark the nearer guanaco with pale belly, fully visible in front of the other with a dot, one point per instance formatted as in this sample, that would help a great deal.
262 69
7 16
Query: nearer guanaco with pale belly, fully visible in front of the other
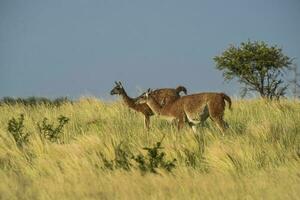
194 108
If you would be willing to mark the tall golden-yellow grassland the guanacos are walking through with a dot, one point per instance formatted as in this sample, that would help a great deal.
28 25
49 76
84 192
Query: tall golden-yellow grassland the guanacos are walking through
258 158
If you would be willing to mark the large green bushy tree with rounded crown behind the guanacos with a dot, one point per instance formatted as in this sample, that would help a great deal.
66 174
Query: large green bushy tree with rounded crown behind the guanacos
257 66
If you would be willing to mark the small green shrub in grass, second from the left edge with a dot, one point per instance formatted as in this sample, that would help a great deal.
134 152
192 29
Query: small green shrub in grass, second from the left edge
50 131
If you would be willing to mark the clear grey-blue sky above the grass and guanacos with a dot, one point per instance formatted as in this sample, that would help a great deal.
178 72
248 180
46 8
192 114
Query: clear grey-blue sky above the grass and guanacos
80 47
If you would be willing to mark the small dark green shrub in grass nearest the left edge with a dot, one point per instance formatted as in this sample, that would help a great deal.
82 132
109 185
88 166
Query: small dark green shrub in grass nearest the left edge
16 128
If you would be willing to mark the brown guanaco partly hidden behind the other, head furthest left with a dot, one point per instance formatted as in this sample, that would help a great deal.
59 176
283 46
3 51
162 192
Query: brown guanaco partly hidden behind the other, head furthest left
162 96
